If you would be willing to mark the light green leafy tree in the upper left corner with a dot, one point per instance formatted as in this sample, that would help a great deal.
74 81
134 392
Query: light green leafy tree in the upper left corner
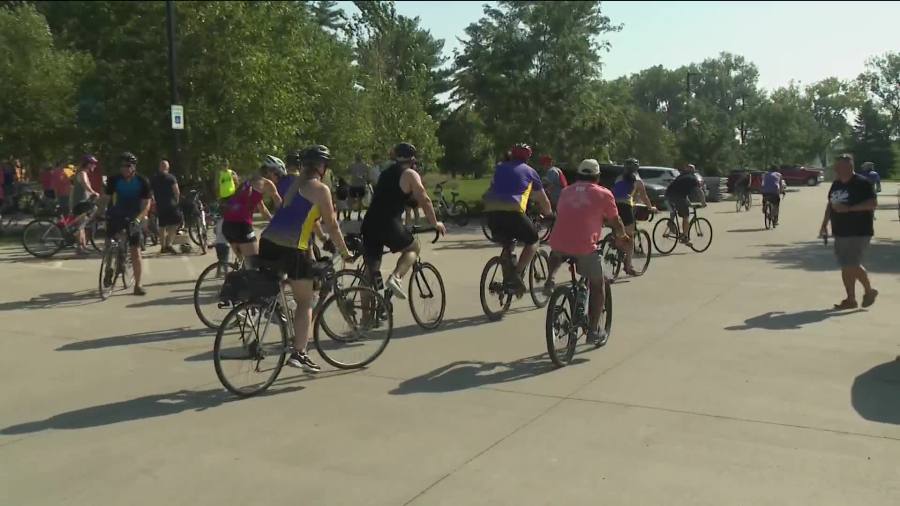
38 88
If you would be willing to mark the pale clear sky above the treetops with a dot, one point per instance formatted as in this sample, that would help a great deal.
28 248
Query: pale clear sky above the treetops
800 41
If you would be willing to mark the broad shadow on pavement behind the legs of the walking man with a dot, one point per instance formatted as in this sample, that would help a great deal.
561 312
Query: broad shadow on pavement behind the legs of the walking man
883 255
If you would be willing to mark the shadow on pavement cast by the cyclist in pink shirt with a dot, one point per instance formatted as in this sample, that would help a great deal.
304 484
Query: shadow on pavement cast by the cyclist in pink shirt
471 374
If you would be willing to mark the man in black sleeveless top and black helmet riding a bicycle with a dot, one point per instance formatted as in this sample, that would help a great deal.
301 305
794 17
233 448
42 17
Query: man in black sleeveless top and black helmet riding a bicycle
398 186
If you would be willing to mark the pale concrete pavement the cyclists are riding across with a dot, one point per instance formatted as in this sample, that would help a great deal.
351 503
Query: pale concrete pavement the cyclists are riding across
726 381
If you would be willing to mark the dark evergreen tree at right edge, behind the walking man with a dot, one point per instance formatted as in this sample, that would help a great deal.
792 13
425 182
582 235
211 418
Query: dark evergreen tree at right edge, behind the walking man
870 140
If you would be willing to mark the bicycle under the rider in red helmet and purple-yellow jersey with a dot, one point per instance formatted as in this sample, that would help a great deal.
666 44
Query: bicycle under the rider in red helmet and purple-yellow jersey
497 280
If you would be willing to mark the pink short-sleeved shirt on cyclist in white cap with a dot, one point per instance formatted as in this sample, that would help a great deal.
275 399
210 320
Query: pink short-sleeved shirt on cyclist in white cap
582 209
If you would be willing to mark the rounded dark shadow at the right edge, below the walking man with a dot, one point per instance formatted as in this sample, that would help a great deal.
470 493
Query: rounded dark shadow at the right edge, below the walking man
875 393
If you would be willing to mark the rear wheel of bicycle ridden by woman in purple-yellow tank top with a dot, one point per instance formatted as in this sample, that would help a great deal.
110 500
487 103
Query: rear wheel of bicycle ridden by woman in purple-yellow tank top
250 348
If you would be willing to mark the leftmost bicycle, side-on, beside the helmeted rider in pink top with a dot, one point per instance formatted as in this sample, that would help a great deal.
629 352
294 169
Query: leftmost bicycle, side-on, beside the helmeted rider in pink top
44 237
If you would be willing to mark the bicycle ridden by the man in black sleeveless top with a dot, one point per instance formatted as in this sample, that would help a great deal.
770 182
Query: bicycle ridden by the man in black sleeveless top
421 288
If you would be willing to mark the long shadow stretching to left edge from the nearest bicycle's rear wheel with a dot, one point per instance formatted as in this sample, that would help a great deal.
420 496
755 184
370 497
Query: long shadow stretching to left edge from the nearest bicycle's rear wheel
149 406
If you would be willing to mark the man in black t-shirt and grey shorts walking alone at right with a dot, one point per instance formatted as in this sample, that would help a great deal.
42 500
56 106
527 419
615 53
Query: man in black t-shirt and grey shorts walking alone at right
851 210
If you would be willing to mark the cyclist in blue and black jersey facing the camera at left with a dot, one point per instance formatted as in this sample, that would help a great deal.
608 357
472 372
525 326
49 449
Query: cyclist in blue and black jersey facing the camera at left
130 193
